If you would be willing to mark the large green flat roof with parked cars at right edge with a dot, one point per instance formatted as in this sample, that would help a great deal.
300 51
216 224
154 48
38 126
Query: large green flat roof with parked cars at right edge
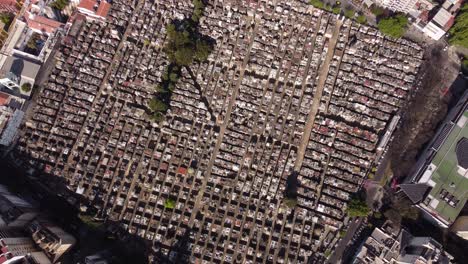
449 180
